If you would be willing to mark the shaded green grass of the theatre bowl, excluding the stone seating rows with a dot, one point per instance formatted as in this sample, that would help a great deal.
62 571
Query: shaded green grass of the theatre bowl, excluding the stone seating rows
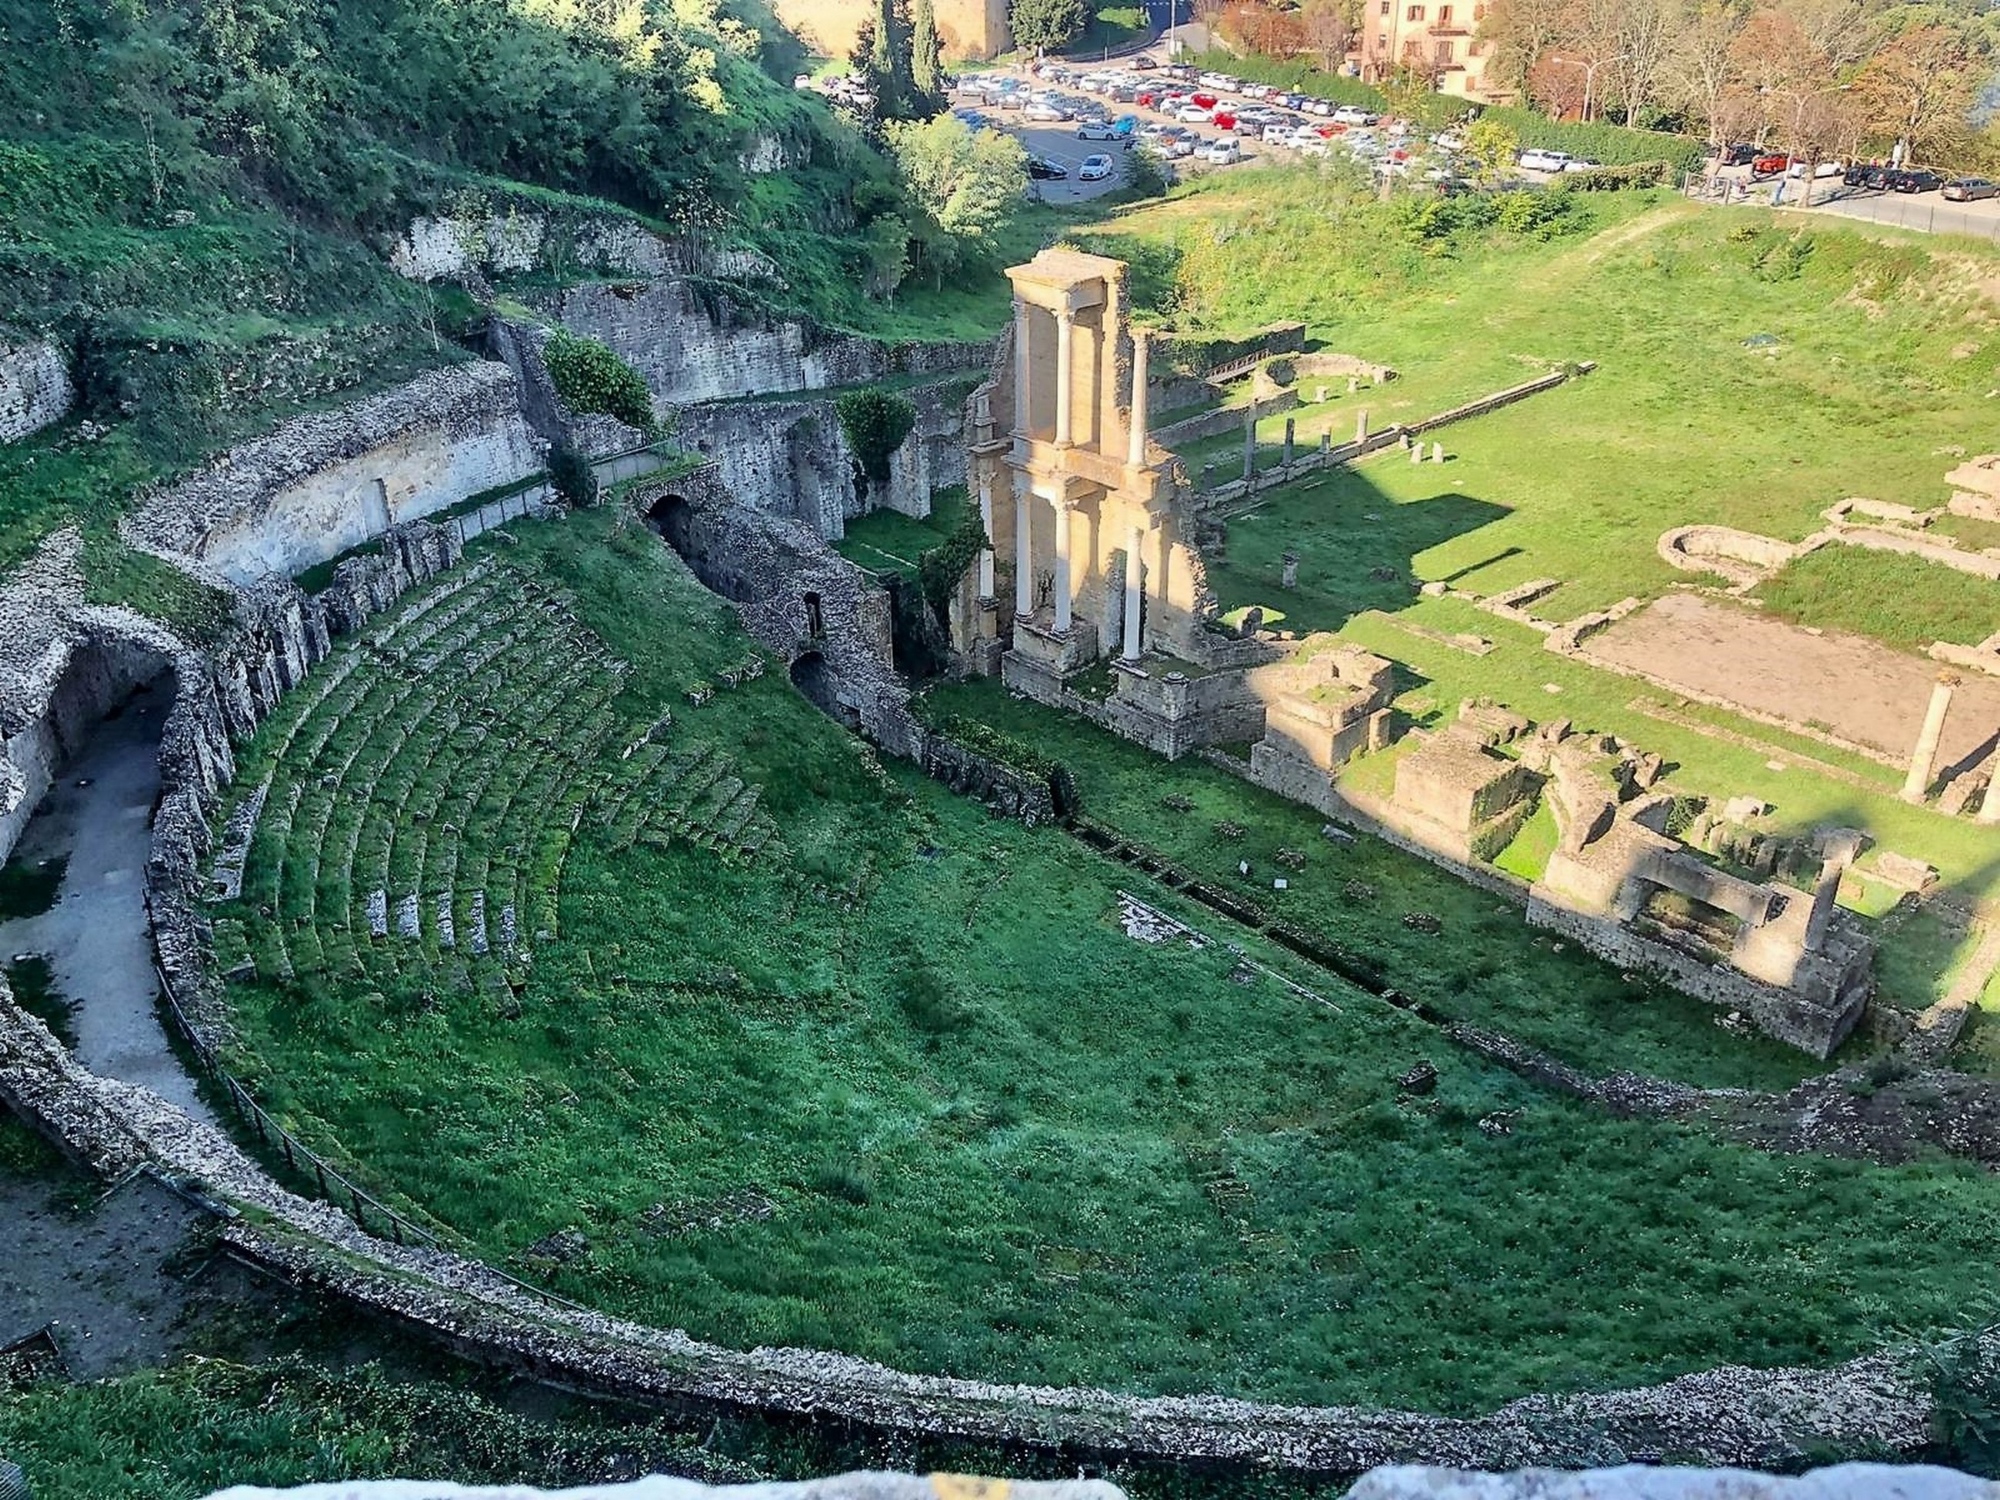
1005 1139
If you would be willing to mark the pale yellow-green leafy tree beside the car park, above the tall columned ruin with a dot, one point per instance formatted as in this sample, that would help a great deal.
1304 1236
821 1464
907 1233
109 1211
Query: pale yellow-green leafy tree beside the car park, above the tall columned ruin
967 185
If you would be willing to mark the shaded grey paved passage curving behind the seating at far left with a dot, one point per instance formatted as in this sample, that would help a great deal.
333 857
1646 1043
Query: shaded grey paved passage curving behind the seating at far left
97 937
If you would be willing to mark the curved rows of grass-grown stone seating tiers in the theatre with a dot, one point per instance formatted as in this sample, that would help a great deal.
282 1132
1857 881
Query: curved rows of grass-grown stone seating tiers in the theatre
415 801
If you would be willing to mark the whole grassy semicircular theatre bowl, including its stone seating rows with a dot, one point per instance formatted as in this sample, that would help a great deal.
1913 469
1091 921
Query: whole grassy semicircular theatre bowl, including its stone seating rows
793 1047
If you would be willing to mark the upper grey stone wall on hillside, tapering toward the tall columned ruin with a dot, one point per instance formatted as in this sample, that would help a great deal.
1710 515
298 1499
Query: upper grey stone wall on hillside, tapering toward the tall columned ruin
697 343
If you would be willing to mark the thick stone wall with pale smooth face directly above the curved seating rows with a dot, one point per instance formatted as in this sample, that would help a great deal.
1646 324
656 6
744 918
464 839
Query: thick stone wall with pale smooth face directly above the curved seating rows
327 483
